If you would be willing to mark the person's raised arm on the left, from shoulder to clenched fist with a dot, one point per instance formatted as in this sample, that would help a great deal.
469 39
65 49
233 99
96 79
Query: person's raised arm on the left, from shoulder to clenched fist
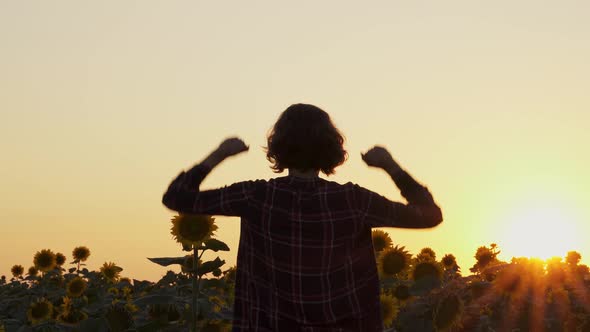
183 194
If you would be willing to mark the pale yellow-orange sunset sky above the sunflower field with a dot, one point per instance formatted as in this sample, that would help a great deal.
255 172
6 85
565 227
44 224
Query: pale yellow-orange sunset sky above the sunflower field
103 103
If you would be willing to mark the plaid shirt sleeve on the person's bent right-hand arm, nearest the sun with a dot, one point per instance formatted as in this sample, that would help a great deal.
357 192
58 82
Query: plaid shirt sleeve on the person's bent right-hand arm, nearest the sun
378 211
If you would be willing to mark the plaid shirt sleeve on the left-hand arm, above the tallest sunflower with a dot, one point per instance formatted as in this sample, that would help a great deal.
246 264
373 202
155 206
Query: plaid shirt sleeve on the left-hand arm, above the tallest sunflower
183 195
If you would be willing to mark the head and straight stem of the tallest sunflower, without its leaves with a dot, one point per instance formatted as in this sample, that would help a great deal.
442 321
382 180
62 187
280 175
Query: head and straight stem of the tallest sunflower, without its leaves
191 231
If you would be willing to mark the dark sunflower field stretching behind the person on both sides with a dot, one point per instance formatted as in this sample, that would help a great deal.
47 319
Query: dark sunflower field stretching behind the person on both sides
418 292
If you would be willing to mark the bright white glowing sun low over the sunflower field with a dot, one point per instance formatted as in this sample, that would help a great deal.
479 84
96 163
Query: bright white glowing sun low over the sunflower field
539 230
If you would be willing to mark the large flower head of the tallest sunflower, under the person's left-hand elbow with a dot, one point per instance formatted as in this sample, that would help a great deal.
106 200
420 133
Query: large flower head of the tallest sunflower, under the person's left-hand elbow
192 229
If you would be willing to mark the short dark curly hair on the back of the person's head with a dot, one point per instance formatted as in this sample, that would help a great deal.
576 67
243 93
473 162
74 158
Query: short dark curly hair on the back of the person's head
305 138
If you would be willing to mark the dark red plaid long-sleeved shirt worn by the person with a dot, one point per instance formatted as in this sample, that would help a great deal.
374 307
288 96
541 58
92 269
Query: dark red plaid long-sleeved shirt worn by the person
305 259
